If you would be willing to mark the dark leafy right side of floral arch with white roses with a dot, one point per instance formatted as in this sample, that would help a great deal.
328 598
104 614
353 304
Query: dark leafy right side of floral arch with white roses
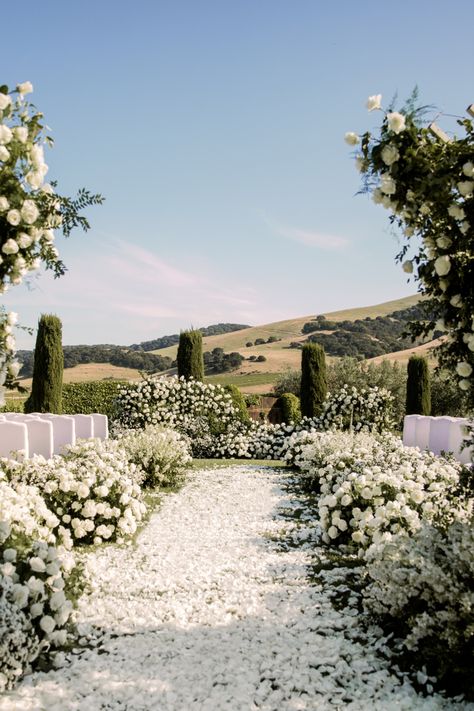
426 181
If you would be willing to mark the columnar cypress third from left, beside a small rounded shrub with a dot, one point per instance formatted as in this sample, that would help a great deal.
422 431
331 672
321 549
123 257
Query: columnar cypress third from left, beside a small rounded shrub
313 379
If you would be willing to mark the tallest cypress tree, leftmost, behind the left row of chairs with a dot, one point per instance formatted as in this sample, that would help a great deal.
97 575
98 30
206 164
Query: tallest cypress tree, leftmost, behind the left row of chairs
46 388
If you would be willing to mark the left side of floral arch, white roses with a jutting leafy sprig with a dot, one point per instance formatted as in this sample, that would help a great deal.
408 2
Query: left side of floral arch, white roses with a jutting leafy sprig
30 209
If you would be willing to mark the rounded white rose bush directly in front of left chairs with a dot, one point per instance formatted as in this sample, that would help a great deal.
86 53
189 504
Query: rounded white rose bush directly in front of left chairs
93 490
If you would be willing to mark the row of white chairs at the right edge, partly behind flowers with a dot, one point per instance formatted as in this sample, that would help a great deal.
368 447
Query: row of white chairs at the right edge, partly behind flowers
438 434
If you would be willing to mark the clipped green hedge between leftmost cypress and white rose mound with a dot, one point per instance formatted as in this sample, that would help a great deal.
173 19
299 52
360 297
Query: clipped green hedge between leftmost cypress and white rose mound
95 396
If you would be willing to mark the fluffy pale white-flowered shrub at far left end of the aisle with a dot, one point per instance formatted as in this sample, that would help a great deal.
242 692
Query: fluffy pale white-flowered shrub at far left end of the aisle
161 454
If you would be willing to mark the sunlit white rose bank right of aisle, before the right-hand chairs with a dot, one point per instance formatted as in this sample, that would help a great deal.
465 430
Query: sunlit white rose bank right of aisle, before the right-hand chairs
373 488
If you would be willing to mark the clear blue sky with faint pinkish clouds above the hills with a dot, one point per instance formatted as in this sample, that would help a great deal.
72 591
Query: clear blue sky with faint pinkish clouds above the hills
214 128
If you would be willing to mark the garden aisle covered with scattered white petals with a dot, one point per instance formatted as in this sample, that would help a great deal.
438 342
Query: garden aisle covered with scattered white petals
212 609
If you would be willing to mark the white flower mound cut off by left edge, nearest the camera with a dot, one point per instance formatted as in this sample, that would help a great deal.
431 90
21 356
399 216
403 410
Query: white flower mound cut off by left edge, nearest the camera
35 580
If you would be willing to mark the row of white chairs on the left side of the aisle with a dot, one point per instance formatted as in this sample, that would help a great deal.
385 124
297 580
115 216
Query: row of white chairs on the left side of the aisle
22 436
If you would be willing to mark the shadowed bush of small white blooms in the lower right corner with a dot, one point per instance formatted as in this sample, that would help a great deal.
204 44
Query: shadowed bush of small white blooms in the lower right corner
426 581
